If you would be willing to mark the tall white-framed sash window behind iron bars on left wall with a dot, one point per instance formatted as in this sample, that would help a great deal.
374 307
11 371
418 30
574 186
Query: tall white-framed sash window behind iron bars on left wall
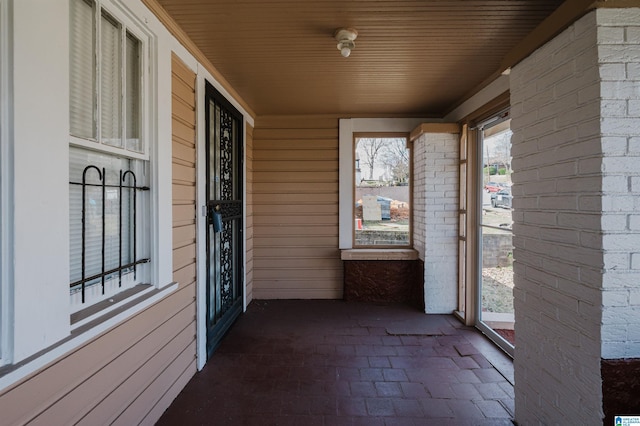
109 164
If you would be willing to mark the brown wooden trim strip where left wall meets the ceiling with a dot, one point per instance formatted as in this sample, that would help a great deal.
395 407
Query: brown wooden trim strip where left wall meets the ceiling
182 37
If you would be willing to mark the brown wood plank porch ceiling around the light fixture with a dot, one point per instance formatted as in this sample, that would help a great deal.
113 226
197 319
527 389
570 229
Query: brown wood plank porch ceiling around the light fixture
412 57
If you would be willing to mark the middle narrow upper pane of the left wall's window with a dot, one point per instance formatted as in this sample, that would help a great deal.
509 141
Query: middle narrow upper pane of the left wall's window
111 81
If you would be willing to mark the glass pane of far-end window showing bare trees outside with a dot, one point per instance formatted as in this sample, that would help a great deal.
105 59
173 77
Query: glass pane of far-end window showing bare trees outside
382 192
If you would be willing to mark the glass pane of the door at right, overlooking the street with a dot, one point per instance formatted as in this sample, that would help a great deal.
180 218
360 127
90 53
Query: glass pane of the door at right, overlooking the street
495 314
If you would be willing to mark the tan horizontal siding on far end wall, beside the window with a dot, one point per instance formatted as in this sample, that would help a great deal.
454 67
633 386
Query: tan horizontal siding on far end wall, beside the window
295 208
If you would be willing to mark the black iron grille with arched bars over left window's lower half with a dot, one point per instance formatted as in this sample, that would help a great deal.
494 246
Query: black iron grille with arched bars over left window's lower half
127 190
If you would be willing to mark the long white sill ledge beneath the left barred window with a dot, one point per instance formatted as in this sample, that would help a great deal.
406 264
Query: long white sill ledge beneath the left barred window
84 331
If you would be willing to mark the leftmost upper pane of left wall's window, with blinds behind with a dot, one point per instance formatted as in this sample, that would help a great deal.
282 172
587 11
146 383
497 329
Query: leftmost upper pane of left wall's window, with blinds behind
82 103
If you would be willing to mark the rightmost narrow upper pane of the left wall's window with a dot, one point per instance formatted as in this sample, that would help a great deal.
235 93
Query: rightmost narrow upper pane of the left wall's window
132 95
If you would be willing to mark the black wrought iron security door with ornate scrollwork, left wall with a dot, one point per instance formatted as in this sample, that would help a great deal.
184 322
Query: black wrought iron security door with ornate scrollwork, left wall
224 216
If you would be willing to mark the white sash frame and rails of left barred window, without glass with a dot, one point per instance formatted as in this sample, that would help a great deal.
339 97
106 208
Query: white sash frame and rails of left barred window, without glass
129 25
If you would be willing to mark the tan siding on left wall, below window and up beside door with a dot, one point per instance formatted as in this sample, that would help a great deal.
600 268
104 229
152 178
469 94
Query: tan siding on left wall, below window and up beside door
132 372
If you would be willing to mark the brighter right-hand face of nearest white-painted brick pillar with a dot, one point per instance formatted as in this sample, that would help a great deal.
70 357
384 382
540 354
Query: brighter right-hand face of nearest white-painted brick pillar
619 46
